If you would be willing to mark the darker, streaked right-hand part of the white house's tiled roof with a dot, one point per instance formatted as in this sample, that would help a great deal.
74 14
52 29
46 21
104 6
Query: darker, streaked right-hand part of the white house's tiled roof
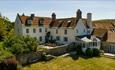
67 22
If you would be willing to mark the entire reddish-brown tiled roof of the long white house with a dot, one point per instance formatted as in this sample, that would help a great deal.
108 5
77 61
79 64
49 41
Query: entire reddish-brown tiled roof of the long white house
65 22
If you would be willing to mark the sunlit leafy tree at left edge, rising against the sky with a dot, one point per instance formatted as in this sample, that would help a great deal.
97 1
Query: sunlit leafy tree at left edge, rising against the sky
6 28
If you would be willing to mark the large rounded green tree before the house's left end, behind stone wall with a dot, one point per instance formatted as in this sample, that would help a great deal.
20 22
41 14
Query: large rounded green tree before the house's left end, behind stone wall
20 44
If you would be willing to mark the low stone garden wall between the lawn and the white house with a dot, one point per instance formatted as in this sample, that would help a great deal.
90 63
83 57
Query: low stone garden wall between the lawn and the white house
36 56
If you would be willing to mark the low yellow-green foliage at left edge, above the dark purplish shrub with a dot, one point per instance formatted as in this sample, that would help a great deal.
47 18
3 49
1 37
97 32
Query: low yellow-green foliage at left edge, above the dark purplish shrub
4 53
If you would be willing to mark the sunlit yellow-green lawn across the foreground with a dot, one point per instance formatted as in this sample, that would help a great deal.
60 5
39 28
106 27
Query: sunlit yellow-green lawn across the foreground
68 63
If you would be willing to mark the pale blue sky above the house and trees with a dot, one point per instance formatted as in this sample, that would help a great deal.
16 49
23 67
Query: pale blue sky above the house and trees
100 9
